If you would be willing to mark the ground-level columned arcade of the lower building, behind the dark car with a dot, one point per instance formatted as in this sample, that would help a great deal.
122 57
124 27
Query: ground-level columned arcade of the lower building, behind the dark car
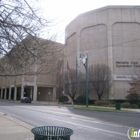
39 88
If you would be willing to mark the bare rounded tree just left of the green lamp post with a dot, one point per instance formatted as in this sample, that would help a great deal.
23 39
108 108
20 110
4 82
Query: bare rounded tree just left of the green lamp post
71 83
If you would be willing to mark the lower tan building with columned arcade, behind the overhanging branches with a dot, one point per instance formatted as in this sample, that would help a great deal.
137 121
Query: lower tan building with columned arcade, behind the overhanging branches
40 86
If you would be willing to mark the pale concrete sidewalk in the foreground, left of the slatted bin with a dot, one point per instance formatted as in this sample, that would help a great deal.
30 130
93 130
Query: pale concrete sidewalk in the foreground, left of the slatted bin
13 129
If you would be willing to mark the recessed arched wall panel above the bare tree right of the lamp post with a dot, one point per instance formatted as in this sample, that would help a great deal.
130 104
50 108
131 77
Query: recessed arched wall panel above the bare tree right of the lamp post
94 40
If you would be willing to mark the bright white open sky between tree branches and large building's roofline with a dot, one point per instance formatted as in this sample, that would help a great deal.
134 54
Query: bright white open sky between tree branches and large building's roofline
62 12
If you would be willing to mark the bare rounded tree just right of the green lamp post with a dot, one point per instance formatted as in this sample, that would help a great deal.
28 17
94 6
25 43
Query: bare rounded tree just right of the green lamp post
100 78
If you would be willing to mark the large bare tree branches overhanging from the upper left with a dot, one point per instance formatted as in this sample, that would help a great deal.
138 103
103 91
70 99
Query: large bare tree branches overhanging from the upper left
20 47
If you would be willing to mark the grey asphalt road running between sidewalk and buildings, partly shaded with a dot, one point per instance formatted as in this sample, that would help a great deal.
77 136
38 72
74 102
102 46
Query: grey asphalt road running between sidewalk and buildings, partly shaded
87 125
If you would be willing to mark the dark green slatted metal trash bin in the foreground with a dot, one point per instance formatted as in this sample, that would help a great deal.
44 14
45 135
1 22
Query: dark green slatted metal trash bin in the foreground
52 133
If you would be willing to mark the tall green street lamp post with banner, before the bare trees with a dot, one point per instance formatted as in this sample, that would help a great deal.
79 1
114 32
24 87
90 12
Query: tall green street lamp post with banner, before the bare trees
84 58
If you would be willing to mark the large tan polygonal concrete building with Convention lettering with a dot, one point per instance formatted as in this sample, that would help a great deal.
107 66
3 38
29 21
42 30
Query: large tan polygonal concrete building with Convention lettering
111 36
